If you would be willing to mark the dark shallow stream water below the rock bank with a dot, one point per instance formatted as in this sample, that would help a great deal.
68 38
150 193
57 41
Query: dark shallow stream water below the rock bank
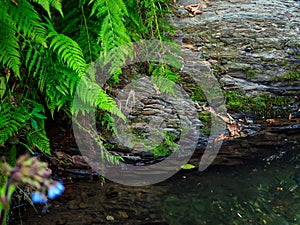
256 193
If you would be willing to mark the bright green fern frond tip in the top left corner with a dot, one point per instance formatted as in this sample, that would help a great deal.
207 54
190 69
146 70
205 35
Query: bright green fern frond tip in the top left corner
19 20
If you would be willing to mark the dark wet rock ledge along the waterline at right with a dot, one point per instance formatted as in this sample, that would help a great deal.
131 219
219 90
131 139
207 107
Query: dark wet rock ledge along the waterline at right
264 141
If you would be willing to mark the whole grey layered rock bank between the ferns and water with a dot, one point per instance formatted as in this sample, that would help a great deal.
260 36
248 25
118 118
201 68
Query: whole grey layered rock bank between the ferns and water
234 45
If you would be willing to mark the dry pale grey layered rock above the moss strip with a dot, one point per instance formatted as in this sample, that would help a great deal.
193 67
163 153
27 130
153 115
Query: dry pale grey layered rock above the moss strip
251 46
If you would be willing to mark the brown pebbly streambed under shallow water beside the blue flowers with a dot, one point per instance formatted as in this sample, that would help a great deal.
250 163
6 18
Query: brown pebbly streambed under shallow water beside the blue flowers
86 203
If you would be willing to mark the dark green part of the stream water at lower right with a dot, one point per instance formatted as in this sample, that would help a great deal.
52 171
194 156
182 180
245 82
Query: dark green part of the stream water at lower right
260 194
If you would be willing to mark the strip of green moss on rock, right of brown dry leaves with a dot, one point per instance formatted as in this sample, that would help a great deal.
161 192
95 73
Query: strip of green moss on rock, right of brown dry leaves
265 106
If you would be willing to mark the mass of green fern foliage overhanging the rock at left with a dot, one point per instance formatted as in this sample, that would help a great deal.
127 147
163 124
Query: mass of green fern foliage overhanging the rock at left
46 47
